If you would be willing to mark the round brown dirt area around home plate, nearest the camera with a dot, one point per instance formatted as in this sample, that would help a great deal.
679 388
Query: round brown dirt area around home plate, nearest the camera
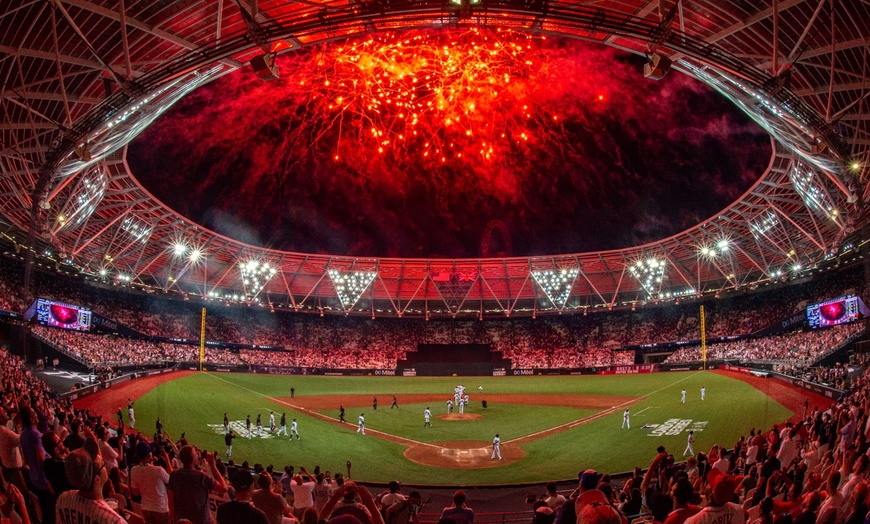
462 454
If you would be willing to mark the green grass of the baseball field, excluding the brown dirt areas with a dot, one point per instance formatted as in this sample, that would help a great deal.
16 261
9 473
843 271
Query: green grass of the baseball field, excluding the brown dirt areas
192 403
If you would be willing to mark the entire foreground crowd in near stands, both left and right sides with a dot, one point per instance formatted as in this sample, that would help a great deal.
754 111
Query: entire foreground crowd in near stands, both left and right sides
815 470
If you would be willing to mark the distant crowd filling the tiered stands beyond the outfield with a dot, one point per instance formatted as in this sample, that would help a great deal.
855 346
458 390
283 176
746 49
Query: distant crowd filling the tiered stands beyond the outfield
573 341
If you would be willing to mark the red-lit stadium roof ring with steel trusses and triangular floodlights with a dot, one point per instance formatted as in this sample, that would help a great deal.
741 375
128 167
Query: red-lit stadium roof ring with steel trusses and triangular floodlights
82 78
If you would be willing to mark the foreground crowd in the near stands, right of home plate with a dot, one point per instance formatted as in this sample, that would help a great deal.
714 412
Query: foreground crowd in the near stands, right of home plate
812 471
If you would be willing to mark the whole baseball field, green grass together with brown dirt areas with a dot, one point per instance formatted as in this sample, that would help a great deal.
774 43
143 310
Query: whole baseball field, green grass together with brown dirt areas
550 427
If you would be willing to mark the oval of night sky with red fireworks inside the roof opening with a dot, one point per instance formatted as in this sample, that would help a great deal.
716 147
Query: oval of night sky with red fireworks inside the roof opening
415 145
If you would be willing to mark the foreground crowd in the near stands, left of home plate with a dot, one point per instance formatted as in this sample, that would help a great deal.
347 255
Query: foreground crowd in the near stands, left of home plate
63 464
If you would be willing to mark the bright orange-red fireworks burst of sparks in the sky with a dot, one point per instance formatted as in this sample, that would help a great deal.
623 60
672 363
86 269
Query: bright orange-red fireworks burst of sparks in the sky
443 98
